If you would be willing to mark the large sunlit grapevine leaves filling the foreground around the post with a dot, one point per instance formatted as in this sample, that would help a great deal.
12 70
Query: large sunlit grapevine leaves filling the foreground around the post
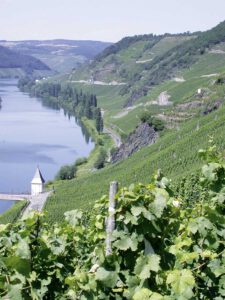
162 249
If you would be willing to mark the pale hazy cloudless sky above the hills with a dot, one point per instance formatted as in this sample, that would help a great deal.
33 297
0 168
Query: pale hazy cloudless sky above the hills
106 20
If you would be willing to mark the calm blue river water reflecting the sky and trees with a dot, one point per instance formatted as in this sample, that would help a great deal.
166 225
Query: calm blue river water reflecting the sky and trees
30 135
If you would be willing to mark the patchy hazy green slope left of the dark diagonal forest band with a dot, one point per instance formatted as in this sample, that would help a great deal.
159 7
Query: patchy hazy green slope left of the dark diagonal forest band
125 61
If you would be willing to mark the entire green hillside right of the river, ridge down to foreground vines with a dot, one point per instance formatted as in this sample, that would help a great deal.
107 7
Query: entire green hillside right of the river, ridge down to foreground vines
188 96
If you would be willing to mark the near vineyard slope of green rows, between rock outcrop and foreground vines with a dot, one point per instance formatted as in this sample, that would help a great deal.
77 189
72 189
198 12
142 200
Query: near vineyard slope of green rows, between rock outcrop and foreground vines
174 153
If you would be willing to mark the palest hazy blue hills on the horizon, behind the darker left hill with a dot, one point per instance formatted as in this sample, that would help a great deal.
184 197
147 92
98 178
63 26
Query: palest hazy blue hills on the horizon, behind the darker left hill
60 55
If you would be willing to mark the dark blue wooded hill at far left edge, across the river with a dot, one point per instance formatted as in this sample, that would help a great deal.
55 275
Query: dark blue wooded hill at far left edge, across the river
13 60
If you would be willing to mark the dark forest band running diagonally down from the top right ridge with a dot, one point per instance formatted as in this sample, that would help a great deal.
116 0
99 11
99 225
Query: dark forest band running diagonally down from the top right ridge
165 66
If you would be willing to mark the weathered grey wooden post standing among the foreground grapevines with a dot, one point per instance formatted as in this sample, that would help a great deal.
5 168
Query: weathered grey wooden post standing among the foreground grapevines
110 223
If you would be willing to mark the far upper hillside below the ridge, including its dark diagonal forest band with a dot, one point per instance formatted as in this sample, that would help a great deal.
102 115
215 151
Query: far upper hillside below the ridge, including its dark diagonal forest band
141 62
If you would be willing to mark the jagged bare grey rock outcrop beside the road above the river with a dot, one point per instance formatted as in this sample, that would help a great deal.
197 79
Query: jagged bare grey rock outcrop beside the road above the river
144 135
